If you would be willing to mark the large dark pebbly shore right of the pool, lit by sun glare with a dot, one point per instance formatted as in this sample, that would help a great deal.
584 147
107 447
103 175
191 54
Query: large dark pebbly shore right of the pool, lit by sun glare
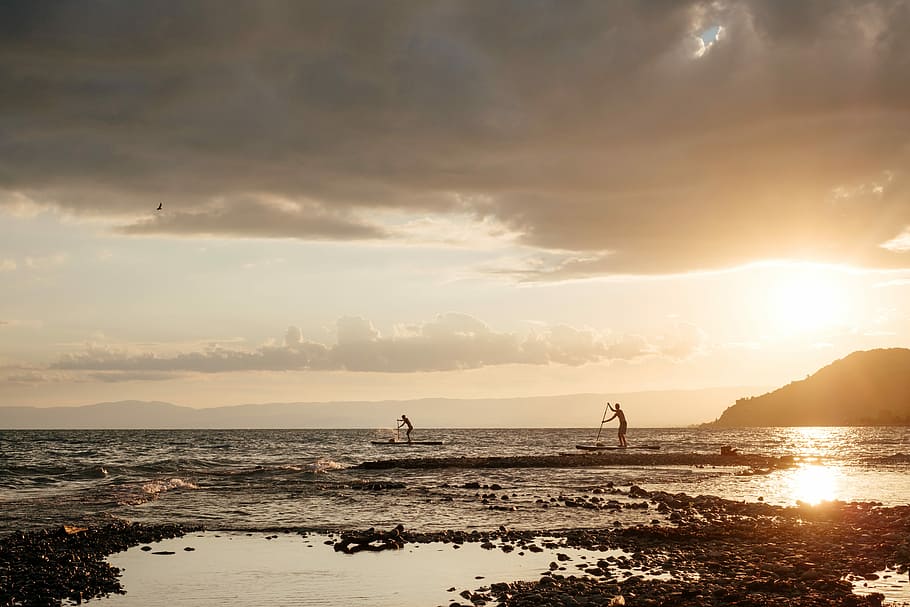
717 553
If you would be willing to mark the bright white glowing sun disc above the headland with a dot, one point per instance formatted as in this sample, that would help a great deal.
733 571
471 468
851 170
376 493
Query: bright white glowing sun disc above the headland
805 301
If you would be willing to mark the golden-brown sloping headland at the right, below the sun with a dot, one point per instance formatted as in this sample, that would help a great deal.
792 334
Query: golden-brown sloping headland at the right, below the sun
863 389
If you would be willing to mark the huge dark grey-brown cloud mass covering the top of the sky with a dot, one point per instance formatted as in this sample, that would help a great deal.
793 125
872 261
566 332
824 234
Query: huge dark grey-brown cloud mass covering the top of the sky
601 129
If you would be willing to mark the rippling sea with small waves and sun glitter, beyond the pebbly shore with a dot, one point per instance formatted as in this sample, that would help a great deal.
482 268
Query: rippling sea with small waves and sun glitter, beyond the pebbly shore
268 479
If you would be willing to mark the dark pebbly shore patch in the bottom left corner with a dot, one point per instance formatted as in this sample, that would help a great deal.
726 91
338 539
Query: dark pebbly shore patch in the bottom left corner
49 566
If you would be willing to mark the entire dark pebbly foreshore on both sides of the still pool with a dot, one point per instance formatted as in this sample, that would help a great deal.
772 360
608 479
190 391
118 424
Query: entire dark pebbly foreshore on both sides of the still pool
705 550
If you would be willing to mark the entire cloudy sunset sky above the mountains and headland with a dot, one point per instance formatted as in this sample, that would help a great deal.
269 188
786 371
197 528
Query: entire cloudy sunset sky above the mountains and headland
395 200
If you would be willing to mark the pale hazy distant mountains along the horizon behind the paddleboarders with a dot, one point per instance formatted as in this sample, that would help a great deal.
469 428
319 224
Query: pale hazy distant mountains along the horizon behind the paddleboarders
644 409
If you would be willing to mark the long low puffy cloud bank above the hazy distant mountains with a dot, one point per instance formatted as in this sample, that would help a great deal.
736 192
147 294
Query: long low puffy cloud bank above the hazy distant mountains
449 342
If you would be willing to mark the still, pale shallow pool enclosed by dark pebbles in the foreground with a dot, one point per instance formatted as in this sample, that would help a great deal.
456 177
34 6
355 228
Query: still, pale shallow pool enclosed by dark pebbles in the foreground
240 569
